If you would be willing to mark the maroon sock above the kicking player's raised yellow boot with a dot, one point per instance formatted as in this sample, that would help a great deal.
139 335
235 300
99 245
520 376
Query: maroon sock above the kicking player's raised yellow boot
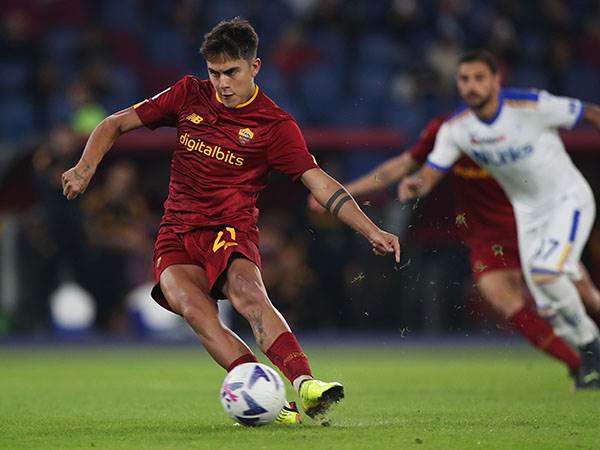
288 356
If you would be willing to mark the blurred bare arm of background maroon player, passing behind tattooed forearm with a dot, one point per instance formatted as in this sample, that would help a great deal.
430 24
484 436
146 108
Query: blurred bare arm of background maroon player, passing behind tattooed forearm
382 176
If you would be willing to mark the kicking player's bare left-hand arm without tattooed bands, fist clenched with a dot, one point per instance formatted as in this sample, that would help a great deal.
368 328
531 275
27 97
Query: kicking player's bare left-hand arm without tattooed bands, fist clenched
76 179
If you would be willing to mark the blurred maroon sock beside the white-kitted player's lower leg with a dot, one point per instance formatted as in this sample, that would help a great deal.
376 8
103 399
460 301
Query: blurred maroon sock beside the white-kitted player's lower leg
539 332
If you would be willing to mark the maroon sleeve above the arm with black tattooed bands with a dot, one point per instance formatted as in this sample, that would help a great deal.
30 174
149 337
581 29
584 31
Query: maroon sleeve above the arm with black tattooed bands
288 152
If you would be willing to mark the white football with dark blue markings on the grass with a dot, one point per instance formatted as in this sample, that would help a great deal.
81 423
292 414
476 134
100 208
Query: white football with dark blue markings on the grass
253 394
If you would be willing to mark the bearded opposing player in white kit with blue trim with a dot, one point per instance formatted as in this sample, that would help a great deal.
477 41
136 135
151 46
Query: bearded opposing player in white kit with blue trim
514 135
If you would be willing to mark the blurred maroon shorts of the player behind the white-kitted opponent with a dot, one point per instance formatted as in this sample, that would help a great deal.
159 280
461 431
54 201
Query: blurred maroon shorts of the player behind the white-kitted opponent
487 255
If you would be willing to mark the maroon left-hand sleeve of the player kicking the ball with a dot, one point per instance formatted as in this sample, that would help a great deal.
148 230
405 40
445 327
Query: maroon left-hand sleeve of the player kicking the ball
162 110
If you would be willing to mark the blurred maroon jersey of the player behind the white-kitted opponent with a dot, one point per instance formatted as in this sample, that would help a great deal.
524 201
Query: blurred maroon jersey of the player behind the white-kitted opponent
481 206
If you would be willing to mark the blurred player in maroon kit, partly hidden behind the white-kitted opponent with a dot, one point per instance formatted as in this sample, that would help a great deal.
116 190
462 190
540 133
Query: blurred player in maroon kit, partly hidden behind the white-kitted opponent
486 225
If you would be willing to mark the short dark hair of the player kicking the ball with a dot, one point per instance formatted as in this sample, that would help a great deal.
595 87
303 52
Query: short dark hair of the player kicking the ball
230 39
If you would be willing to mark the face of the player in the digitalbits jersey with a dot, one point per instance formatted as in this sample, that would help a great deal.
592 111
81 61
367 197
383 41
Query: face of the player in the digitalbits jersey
233 79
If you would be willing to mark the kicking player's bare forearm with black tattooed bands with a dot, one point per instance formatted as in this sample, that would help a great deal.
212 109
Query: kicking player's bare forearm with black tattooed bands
335 198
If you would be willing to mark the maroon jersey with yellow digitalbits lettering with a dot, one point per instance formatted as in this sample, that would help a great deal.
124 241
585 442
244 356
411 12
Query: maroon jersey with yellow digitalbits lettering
222 155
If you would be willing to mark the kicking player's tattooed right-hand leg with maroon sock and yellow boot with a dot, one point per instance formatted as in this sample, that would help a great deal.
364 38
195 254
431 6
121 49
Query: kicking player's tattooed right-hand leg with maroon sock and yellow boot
245 289
